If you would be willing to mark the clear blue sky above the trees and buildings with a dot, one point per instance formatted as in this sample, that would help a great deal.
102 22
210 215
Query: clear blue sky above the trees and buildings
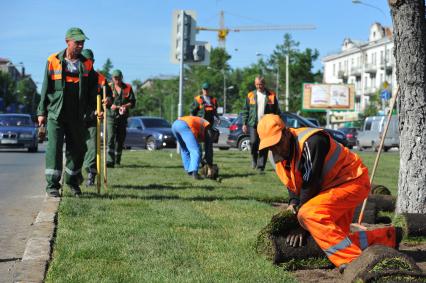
136 35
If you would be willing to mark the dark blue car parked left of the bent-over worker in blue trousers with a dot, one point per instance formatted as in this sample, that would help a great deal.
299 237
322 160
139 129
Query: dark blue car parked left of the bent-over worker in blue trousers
149 132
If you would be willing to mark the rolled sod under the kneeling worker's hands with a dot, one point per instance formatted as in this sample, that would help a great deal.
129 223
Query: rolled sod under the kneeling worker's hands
271 244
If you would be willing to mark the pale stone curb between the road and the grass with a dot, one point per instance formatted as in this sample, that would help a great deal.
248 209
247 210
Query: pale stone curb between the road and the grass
38 249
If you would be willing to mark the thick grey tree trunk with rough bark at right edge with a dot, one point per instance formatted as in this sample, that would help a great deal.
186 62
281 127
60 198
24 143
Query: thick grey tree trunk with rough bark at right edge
409 31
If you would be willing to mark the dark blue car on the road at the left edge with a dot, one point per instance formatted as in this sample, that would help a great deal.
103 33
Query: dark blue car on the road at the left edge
18 131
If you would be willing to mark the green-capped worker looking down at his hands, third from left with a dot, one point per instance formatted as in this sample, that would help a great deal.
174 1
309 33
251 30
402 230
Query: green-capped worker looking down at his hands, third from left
123 99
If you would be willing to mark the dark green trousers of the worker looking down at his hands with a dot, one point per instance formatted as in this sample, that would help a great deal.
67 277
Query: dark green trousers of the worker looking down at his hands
116 133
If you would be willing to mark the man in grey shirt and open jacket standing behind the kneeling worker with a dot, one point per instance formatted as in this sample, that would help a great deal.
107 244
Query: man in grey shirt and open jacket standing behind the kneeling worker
258 103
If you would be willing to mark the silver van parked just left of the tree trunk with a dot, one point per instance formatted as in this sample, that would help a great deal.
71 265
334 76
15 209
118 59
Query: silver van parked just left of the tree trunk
372 131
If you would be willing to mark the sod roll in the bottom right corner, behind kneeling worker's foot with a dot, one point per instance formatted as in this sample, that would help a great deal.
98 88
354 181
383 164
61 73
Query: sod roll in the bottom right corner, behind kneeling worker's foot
383 264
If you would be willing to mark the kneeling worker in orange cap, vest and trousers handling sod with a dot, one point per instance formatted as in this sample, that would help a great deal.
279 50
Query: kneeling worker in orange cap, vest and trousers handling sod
326 182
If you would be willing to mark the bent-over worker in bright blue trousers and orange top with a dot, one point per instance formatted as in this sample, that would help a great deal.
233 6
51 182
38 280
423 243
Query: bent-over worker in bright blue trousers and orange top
189 131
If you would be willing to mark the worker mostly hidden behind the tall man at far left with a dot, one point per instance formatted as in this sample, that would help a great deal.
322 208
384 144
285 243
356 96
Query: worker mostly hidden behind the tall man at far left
90 157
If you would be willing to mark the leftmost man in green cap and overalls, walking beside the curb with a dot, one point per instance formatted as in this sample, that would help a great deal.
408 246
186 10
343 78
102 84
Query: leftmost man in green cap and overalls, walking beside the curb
68 96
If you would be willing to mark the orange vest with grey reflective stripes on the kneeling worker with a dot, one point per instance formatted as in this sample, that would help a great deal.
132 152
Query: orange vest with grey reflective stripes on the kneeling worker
340 164
